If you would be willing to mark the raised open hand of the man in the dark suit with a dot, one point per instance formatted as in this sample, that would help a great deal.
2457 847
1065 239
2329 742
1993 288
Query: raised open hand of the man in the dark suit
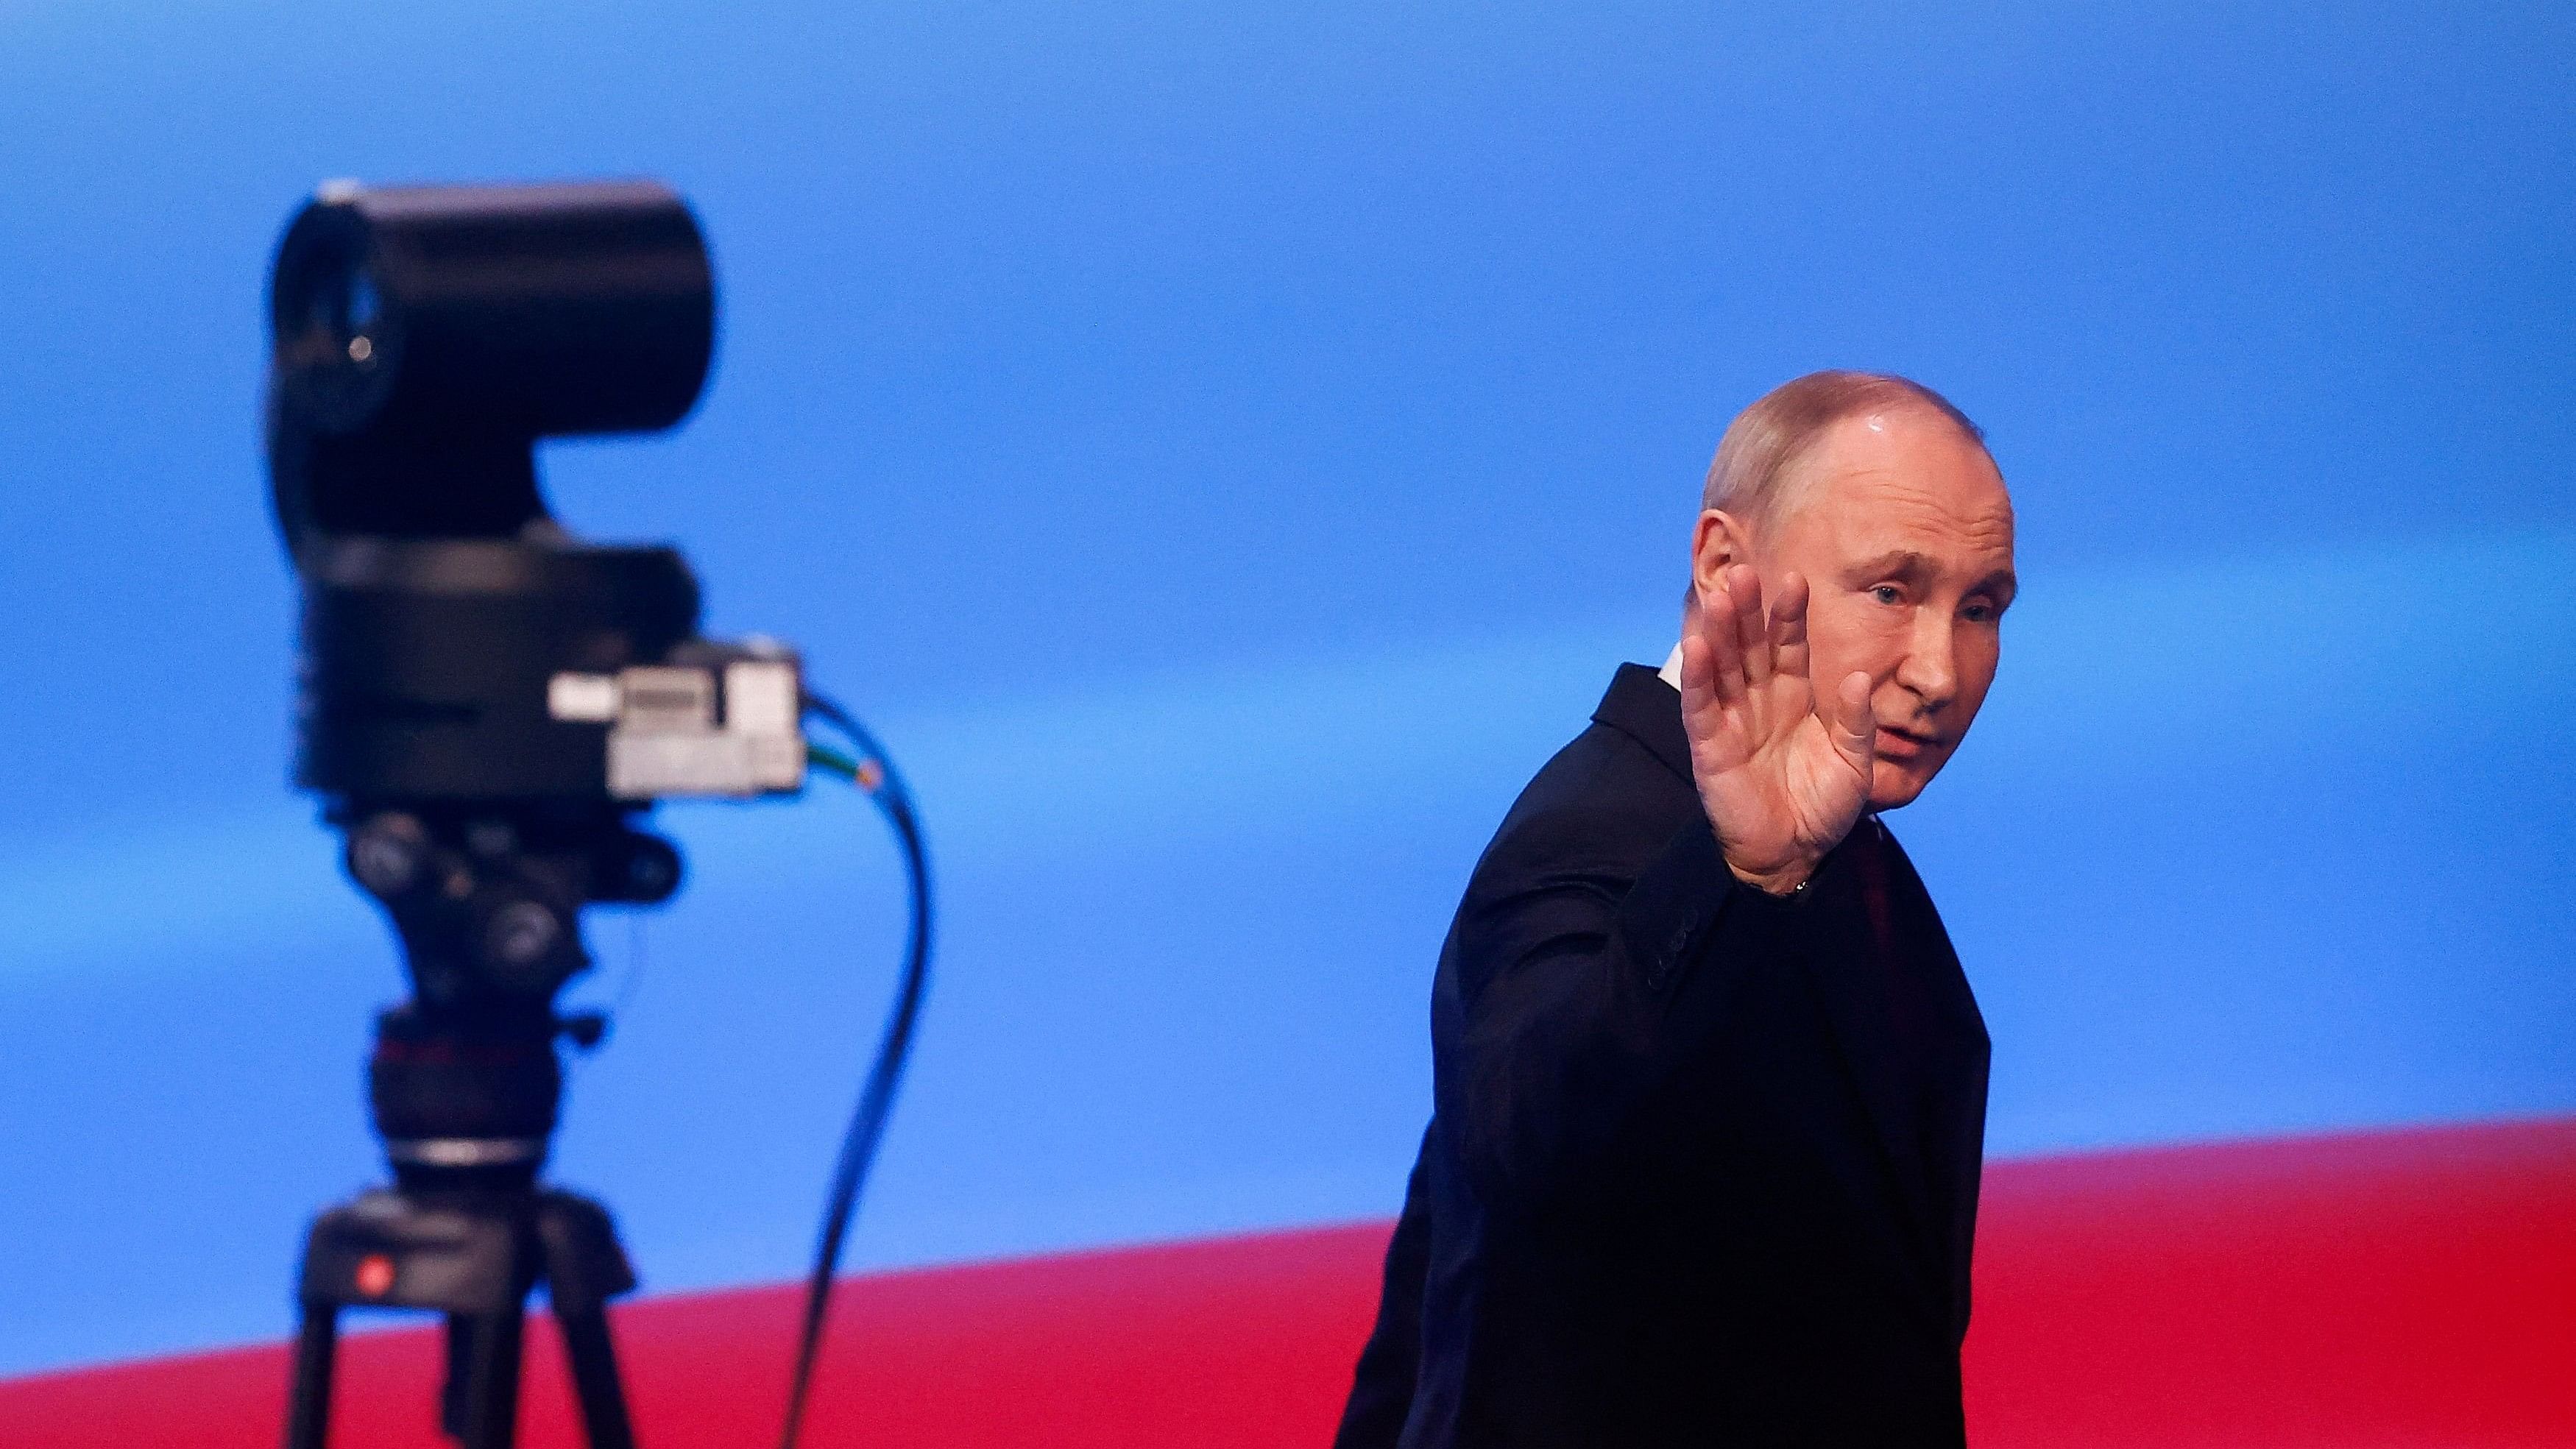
1781 779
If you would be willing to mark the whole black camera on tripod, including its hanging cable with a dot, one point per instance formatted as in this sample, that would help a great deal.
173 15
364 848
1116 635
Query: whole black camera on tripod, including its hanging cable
488 704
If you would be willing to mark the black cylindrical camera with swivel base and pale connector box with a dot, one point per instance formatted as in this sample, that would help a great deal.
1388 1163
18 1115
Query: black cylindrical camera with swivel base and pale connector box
457 645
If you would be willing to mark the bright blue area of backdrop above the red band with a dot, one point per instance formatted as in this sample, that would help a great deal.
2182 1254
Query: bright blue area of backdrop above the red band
1225 454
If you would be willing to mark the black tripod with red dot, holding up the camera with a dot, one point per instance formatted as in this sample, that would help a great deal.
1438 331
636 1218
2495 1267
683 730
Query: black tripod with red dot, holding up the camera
465 1090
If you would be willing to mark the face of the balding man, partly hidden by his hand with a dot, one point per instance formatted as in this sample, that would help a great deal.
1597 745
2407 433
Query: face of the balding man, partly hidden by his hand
1905 537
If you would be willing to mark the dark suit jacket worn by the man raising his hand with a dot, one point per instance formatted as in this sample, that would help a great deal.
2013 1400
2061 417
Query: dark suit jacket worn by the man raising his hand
1701 1162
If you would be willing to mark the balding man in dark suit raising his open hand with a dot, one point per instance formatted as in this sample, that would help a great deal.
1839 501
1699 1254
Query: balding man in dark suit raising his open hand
1709 1082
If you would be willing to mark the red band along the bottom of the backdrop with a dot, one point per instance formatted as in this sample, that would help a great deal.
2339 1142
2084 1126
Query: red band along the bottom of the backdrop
2389 1288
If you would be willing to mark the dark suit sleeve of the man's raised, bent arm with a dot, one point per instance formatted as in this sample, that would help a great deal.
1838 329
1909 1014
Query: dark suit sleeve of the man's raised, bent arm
1575 984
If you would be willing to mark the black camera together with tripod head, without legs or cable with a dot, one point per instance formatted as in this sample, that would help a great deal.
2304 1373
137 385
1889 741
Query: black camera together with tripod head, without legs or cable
491 706
